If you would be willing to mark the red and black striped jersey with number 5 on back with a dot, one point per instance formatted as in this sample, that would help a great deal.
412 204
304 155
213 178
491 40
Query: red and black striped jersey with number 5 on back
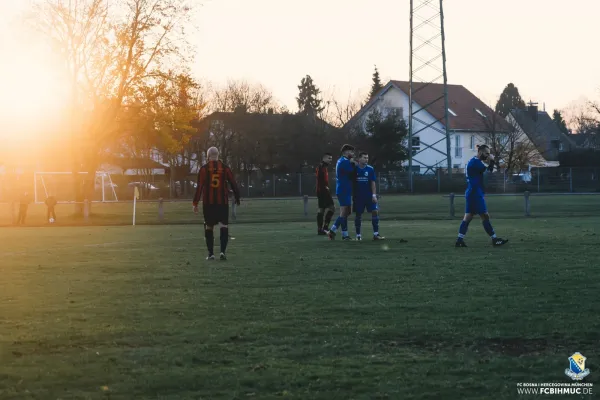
212 184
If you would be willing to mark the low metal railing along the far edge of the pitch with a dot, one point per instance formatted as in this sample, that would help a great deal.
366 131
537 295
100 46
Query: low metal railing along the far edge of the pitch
303 209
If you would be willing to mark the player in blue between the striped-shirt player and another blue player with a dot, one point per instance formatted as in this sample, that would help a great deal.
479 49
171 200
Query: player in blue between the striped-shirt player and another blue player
344 174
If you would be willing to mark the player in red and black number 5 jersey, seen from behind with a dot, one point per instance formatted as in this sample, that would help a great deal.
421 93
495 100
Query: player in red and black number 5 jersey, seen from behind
213 190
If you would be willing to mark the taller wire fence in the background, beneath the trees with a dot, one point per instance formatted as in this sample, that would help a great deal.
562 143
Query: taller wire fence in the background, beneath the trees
257 184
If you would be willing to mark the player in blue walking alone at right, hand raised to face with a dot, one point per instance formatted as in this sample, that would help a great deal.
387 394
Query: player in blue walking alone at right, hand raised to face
475 197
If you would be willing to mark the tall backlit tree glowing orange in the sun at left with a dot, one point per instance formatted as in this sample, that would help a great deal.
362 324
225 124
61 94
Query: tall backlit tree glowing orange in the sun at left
109 52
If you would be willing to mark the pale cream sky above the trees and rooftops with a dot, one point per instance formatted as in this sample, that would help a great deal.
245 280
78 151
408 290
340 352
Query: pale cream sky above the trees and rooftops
548 49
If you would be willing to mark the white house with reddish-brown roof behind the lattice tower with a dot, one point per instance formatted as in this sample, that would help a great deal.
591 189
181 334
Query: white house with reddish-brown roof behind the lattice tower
468 121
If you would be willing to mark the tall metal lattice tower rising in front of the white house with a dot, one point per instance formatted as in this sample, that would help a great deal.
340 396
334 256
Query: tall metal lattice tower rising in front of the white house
427 66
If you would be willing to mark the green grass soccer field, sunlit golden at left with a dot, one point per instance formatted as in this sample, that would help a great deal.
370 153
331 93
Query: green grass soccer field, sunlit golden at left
121 312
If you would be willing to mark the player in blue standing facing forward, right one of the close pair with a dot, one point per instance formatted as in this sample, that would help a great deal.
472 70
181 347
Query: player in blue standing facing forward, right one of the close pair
365 196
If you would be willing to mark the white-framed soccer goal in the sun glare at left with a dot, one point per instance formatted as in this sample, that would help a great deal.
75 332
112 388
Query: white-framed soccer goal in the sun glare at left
62 187
